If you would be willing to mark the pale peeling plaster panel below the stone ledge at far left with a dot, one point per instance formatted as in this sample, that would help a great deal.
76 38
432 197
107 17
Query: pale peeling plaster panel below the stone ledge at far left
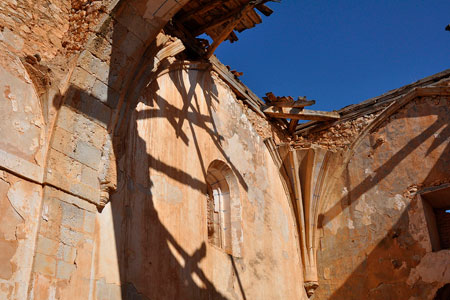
20 202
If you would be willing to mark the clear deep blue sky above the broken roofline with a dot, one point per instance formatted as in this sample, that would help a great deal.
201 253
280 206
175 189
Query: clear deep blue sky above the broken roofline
341 52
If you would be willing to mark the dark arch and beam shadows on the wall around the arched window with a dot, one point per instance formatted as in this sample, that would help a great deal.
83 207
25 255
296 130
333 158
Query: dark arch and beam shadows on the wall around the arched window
160 274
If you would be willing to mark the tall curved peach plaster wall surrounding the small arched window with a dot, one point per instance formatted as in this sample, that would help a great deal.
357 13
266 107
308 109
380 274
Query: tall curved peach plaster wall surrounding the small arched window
181 123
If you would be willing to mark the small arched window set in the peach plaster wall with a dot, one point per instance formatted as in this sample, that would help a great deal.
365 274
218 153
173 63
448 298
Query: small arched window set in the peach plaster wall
223 208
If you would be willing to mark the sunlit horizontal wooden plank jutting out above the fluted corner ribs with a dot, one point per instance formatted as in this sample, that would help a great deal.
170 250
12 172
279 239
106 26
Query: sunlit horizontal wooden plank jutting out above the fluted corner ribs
300 114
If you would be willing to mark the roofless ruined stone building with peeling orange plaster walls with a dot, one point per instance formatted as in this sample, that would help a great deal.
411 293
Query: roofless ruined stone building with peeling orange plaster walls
134 165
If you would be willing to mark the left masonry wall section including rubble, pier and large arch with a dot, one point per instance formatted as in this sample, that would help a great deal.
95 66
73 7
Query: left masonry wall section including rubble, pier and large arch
56 103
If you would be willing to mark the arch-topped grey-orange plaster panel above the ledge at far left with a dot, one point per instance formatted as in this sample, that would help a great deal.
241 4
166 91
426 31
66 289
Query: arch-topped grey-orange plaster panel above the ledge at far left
23 149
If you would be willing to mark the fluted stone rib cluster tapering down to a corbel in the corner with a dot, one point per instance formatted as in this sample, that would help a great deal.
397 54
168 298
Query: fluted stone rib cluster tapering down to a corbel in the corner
306 173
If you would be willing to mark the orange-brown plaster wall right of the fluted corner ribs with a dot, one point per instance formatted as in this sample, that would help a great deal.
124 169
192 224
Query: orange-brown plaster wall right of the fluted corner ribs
375 242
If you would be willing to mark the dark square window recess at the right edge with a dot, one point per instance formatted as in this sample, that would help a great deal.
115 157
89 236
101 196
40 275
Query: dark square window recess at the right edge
436 204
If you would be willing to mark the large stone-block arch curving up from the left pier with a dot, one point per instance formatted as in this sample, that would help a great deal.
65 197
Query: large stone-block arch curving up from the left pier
96 93
